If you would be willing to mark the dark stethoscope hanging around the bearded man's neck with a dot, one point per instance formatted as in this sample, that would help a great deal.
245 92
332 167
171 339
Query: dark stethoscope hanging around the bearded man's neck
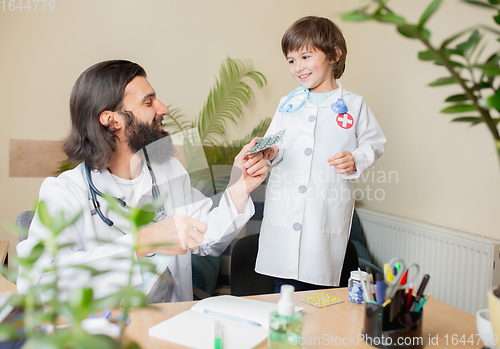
94 192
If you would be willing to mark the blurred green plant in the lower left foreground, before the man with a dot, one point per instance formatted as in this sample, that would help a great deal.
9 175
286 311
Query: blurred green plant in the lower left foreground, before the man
51 320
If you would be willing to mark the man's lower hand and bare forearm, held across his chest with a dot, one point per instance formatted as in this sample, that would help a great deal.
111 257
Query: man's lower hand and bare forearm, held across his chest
171 236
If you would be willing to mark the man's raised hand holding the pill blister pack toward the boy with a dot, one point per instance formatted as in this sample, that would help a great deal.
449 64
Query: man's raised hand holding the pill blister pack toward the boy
249 170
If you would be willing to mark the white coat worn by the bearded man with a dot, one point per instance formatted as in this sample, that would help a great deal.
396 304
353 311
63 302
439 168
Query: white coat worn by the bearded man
97 245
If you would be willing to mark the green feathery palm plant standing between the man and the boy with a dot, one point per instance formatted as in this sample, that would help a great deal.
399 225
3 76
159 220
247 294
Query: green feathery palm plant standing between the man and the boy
224 104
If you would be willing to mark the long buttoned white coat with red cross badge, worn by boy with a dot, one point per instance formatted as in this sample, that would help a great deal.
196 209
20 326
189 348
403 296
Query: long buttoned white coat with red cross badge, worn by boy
308 207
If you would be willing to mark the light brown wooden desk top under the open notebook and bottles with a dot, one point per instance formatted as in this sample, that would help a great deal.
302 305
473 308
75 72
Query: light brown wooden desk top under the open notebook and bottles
325 325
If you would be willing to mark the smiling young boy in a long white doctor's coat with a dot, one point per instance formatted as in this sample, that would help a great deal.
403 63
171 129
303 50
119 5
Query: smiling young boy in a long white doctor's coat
331 137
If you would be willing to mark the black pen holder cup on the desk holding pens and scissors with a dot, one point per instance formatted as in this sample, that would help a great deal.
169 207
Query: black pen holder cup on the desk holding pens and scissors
404 331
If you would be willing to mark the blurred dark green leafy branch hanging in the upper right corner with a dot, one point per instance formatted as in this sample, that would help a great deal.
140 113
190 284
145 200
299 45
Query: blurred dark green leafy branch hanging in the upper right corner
461 55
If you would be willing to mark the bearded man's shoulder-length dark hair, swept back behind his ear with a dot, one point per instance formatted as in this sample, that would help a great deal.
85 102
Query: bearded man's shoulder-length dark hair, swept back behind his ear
101 87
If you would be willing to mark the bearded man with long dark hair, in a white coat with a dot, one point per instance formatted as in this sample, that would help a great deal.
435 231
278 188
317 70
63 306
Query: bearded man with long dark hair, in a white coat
116 115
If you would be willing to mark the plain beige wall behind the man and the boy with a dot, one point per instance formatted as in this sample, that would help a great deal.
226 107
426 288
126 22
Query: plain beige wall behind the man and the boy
448 174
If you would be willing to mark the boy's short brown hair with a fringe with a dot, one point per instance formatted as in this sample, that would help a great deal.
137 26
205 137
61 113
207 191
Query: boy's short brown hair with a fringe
317 33
